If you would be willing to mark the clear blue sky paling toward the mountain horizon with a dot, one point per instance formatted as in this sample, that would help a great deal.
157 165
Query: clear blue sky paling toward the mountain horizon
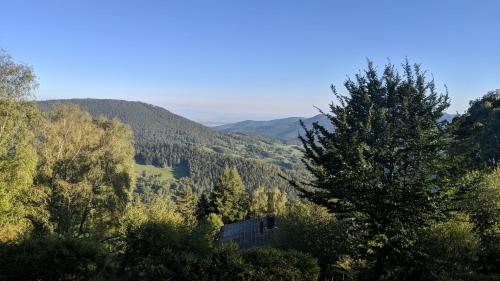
224 61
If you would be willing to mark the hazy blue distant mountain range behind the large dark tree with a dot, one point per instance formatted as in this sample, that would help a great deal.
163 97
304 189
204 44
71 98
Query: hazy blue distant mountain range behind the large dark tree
285 129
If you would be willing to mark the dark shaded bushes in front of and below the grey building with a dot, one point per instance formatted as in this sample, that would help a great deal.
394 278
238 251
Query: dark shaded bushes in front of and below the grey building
165 252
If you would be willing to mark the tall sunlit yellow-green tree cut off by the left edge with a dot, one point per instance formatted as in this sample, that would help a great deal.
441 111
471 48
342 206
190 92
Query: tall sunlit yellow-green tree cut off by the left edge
18 118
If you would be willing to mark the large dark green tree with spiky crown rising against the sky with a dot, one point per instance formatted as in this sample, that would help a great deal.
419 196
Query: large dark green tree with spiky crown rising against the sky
380 167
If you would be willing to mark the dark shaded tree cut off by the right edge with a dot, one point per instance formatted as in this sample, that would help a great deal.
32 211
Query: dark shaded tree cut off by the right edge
477 133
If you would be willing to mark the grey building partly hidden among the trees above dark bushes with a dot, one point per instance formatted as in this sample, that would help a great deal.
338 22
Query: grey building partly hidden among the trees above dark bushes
250 233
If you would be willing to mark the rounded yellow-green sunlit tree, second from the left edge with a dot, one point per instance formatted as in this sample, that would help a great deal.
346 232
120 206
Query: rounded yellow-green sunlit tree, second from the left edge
87 167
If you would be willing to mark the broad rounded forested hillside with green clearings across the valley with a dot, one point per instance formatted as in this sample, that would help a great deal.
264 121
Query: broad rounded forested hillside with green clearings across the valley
164 139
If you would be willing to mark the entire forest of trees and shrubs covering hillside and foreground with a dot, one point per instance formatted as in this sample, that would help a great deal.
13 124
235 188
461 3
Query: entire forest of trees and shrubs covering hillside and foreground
394 192
